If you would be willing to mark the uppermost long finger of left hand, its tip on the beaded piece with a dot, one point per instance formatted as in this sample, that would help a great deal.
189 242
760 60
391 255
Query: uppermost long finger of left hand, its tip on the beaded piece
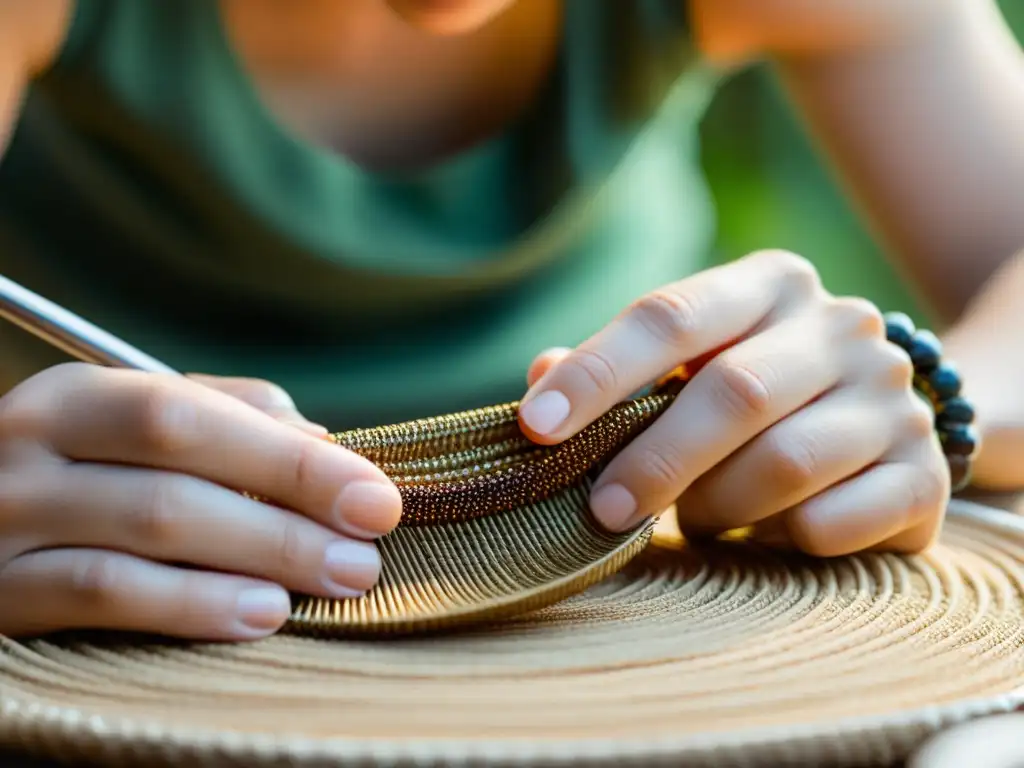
170 423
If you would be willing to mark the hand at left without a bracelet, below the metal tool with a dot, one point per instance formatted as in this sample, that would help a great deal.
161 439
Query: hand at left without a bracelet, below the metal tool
118 507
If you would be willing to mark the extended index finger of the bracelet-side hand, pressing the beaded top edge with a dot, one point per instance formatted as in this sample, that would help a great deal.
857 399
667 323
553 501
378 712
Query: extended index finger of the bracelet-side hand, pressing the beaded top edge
667 328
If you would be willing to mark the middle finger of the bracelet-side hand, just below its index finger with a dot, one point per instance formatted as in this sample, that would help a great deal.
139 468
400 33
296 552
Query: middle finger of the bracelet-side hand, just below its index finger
731 401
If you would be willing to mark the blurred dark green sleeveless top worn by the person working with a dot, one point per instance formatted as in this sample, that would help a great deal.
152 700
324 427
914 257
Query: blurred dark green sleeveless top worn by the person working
147 189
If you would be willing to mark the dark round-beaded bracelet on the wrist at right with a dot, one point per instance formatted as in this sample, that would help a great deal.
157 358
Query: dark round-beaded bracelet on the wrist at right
940 381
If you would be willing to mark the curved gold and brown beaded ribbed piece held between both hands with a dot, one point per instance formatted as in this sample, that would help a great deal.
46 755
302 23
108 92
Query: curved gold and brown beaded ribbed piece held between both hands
493 525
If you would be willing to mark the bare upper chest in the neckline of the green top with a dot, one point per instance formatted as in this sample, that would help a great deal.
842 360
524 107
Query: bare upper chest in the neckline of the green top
351 76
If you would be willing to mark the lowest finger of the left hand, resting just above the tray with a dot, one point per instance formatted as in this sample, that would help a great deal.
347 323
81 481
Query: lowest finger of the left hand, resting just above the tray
56 590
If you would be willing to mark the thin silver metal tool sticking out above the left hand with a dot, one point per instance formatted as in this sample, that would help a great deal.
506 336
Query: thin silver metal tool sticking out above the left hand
72 334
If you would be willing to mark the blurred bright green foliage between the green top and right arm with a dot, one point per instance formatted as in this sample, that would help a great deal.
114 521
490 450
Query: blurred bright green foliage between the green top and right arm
773 191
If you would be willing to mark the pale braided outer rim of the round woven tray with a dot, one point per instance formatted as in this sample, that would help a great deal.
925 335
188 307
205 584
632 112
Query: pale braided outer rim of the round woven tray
850 743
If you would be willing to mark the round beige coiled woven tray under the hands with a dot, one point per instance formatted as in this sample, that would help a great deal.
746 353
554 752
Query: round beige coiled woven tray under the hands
718 657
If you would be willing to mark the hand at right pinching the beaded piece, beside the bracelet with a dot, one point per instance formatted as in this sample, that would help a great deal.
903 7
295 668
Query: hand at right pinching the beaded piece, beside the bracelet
801 421
